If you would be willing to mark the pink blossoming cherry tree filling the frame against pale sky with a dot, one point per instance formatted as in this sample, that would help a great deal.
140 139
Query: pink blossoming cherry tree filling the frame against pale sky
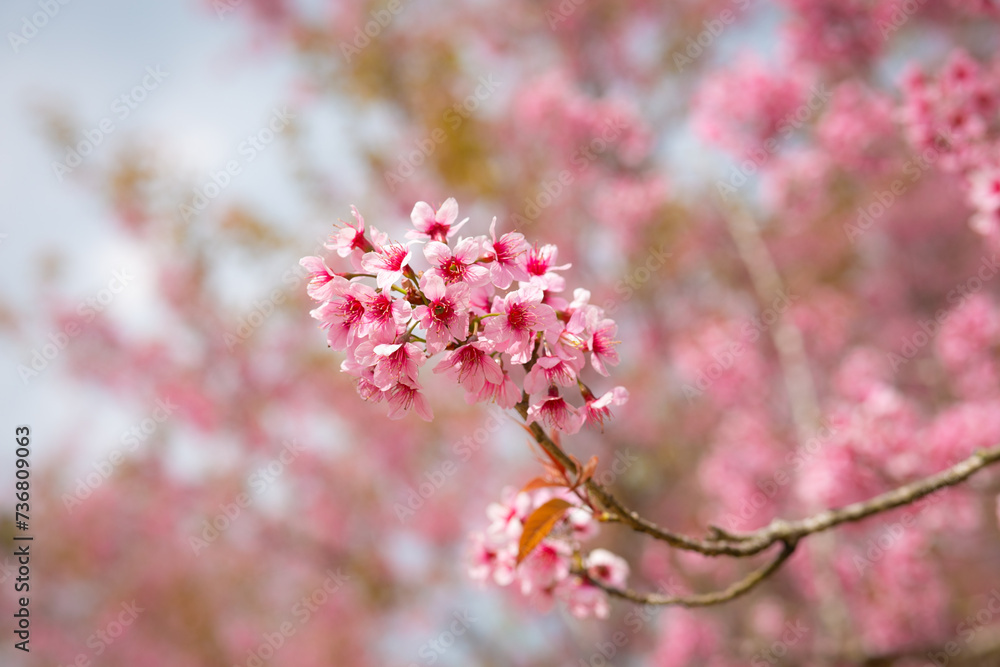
721 330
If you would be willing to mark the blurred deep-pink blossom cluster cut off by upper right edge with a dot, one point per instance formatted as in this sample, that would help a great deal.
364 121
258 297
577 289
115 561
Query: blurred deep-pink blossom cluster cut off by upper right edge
955 116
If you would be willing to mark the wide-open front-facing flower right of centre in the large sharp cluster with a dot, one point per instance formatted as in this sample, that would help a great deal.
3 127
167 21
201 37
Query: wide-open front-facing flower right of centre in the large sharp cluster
521 314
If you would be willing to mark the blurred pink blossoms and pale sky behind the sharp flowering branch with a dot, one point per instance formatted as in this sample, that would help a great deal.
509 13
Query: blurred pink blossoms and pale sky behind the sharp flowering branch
208 489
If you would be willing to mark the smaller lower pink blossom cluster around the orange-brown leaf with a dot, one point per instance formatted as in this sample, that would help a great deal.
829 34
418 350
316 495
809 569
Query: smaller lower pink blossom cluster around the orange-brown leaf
556 569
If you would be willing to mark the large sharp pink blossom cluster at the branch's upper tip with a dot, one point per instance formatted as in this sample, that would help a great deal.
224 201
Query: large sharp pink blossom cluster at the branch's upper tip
490 305
